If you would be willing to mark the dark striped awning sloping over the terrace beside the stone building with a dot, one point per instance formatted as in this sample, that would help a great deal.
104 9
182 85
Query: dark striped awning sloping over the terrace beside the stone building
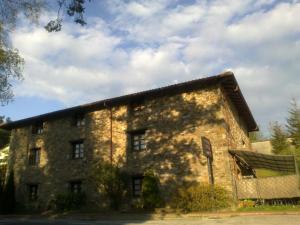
284 163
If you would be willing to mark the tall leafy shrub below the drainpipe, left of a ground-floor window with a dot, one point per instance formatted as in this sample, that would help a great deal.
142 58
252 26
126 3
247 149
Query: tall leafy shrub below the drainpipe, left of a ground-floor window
111 181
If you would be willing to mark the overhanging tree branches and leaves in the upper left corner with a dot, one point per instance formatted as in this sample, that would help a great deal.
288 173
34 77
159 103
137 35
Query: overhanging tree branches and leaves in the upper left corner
11 64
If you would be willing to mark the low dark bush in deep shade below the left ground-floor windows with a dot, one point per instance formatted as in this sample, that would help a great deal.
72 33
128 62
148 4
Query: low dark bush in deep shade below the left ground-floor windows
70 201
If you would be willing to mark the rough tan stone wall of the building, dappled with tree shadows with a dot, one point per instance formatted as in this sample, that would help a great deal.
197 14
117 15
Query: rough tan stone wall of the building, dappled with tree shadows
173 126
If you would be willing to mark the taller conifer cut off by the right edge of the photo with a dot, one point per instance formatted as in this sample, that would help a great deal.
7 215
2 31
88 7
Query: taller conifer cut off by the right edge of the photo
293 124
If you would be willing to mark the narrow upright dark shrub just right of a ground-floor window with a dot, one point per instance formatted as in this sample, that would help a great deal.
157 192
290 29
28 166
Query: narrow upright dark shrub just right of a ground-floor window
151 197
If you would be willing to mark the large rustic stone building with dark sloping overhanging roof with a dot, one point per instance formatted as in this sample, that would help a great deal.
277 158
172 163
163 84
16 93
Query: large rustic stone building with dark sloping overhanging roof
159 129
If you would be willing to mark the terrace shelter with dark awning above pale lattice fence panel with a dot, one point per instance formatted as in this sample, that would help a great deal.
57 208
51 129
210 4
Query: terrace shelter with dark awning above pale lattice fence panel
279 187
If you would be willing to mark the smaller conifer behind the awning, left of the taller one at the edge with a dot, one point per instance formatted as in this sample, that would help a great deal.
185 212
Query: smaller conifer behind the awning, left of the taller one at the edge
279 139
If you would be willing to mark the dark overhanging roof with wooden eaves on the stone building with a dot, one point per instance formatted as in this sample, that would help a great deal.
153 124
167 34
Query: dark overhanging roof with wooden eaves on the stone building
227 80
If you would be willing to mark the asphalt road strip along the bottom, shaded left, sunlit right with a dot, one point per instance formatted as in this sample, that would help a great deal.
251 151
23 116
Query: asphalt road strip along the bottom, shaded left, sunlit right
238 220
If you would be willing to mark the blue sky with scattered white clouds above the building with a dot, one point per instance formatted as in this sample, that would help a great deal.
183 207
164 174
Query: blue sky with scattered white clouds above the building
129 46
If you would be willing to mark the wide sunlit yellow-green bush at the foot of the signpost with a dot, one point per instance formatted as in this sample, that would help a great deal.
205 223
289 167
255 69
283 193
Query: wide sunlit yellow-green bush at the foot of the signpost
200 197
